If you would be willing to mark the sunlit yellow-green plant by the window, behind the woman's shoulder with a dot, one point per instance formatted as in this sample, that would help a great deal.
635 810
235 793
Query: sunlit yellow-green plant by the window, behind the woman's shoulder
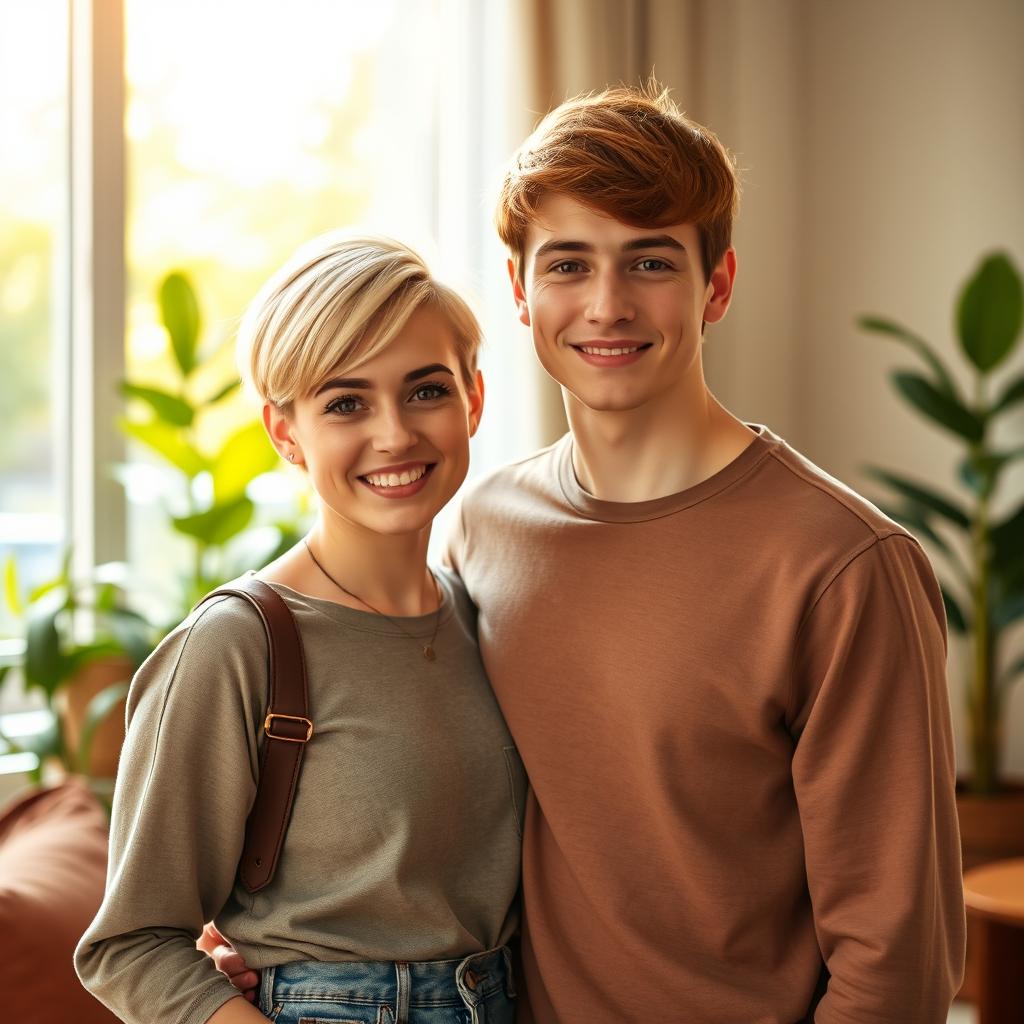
214 518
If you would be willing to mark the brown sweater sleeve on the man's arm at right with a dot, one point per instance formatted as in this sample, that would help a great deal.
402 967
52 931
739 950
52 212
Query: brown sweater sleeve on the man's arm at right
874 776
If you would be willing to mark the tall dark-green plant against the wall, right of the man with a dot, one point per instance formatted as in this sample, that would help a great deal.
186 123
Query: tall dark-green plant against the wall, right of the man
984 553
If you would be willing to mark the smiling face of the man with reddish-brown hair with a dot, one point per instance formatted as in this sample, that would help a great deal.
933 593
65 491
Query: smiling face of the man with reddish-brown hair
617 311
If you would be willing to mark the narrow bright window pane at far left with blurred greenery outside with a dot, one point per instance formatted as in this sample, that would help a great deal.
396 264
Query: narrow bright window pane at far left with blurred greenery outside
33 272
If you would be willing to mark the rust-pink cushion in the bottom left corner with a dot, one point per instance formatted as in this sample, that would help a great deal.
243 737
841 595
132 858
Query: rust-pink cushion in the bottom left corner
53 871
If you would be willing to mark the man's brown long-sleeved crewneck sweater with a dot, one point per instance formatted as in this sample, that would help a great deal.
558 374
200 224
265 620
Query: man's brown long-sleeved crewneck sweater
733 707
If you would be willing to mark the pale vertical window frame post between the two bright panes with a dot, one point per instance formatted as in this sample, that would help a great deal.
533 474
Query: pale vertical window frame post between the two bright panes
89 295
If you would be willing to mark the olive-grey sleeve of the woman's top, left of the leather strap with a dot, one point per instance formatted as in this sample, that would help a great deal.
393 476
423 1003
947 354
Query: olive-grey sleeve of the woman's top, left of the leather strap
186 784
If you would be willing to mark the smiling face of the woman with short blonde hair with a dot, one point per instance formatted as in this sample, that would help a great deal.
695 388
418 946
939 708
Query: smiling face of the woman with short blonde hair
387 444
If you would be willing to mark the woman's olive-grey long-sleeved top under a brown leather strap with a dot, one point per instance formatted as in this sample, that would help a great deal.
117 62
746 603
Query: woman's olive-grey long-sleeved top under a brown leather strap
404 842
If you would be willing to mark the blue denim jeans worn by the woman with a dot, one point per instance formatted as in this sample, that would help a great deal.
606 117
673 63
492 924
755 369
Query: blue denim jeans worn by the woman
478 990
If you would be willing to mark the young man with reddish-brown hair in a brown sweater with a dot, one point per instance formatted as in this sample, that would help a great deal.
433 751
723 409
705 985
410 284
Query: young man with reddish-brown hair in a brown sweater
724 670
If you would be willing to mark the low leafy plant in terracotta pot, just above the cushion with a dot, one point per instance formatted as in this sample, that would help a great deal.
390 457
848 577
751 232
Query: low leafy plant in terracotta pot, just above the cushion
82 645
